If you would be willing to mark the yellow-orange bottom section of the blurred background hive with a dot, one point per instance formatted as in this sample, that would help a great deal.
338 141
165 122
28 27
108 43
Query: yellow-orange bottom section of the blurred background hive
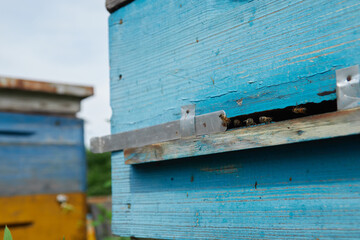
41 217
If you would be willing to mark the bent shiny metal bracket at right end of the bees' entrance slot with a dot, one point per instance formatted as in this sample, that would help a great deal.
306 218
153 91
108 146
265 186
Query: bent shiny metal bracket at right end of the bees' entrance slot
348 87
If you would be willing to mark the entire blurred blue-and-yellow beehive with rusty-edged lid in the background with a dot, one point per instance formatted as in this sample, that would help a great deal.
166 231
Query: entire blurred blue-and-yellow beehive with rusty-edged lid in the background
42 160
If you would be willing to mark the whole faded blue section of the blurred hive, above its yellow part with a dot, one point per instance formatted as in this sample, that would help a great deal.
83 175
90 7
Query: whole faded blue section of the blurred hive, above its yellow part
41 154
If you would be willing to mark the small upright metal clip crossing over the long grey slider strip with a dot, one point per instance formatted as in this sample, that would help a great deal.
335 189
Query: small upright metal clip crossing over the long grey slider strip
187 121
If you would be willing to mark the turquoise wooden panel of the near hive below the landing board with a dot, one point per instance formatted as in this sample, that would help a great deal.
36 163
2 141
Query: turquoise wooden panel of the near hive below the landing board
306 190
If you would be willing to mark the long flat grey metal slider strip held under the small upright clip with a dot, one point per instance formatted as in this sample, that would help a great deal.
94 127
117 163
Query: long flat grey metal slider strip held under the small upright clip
204 124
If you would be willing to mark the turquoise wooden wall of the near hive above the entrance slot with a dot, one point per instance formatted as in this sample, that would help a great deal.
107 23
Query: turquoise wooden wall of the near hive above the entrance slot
238 56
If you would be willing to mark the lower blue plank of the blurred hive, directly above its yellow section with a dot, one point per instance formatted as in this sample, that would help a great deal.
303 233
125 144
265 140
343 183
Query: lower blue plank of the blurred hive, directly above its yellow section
41 169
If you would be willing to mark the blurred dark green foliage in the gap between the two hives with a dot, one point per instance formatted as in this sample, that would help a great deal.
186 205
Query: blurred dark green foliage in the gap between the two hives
98 174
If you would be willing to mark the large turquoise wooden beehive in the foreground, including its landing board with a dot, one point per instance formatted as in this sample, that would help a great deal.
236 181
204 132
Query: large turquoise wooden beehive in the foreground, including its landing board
243 57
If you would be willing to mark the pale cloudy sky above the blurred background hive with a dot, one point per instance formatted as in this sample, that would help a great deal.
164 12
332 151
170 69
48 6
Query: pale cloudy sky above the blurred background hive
60 41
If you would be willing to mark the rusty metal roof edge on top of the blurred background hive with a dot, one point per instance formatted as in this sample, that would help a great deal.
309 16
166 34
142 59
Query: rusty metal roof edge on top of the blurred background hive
46 87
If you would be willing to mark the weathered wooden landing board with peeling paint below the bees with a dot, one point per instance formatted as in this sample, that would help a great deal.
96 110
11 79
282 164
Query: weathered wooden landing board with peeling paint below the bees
322 126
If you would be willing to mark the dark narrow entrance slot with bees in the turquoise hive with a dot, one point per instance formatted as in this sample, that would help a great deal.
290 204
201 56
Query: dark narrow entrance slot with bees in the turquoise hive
278 115
